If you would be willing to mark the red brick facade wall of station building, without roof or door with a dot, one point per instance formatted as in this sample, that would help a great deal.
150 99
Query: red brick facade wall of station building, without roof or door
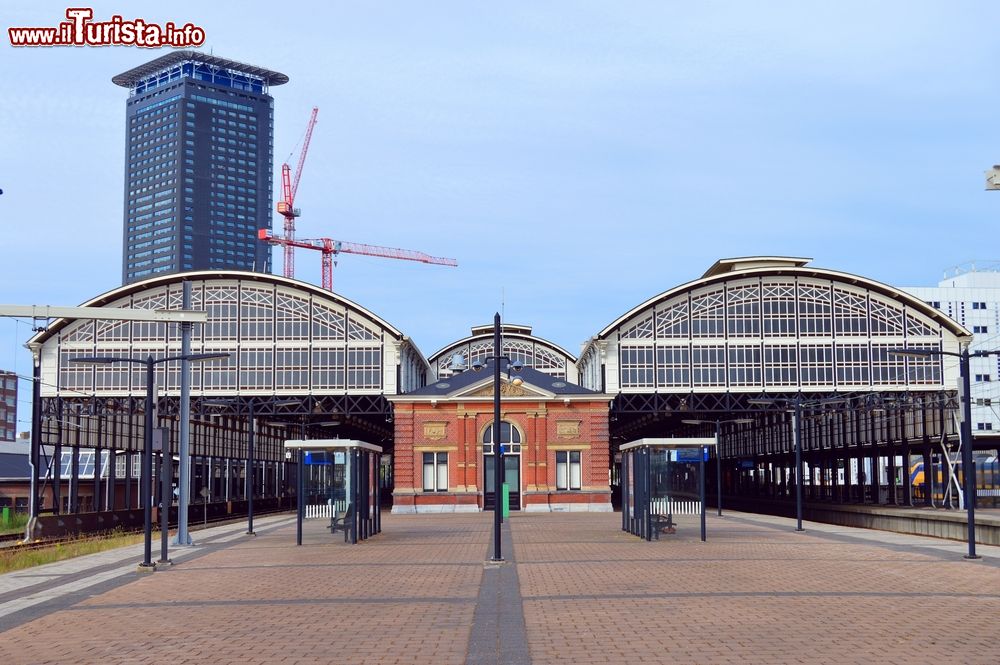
456 425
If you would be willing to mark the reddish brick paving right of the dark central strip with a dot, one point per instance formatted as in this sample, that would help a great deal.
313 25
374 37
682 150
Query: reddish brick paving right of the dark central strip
754 593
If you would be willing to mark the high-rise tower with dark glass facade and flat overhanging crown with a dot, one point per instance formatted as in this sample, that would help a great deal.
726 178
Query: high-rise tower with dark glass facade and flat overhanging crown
198 165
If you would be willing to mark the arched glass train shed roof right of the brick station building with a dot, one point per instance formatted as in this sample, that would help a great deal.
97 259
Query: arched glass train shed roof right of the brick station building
767 326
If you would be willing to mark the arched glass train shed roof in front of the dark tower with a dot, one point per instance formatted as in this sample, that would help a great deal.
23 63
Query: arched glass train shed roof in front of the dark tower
299 354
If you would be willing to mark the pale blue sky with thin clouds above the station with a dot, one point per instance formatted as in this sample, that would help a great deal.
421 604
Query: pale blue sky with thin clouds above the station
577 158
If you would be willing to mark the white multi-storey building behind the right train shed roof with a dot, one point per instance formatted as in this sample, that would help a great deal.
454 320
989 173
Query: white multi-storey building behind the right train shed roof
971 296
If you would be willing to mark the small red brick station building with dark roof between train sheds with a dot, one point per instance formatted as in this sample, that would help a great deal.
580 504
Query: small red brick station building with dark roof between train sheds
554 433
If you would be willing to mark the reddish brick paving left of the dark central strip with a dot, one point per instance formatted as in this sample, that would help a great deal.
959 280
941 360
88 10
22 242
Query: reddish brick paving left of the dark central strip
404 596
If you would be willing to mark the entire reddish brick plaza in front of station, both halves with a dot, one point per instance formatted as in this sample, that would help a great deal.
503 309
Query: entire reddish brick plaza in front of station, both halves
755 592
